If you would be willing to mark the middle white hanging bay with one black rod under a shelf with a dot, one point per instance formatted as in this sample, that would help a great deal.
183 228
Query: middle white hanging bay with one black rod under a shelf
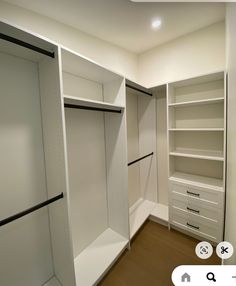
94 101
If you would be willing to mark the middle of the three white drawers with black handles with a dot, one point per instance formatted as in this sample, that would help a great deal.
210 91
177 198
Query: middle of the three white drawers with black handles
196 206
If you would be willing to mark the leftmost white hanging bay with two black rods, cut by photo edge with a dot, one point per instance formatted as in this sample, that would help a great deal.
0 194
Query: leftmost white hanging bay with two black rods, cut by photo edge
34 247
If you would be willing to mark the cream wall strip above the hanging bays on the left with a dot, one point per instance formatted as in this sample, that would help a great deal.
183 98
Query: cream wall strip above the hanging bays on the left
104 53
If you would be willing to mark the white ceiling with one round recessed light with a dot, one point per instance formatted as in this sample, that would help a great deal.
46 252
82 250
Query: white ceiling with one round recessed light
128 24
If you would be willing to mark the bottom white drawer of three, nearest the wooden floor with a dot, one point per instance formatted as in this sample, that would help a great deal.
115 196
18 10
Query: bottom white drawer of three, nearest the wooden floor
195 224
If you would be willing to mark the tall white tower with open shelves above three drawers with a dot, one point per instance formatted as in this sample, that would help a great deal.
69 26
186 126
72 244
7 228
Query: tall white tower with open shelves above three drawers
197 140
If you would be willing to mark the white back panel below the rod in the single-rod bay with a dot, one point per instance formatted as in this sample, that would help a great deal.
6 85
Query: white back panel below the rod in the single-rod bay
87 175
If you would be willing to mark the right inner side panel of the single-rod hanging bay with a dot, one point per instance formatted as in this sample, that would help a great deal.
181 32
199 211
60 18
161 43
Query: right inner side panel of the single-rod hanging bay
116 158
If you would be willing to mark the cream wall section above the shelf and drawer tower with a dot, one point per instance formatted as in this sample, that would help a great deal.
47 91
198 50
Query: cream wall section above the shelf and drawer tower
197 53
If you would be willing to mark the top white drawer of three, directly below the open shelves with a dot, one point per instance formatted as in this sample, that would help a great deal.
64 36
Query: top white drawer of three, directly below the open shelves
213 196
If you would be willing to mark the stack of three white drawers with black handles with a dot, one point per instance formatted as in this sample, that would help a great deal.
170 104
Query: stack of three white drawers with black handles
198 210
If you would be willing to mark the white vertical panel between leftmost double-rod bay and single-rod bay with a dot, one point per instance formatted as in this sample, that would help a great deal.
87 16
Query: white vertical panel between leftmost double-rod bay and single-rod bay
53 132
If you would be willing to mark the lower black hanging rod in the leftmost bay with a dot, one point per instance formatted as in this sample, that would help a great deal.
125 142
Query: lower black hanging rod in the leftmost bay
30 210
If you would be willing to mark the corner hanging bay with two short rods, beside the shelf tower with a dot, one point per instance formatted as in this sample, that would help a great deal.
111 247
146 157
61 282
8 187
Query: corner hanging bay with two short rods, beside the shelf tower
145 199
